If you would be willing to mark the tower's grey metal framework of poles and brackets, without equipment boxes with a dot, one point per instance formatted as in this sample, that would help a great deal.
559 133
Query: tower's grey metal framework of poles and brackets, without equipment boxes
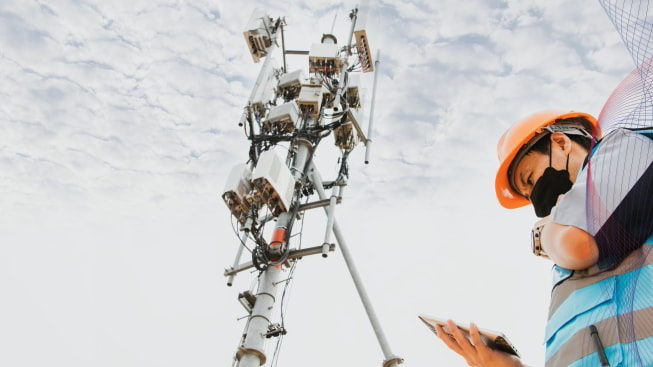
251 351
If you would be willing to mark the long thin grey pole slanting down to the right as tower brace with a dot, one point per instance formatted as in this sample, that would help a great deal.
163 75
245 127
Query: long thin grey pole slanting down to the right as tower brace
390 359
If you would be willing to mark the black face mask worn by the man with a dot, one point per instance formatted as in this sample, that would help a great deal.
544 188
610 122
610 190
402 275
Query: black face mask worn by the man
548 187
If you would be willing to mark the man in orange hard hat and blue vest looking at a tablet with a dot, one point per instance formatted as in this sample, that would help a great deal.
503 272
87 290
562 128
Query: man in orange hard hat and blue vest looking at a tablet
596 207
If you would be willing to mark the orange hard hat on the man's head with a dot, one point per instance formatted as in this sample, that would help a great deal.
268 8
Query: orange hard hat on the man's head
518 136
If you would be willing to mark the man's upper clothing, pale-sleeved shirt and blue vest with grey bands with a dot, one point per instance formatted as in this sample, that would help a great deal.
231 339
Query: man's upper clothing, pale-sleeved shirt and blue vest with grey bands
612 199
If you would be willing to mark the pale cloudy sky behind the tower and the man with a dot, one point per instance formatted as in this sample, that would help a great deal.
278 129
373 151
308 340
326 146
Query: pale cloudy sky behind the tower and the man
118 126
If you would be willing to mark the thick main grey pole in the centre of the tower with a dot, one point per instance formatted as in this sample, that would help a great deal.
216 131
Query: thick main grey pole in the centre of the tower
252 352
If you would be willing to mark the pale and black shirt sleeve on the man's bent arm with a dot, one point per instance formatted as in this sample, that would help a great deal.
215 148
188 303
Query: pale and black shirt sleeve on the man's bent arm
612 198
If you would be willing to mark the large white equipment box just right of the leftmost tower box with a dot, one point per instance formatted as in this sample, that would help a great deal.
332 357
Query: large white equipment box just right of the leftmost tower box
274 183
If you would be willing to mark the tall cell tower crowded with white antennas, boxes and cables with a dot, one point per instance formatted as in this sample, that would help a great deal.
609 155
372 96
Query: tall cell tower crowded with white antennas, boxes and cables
297 110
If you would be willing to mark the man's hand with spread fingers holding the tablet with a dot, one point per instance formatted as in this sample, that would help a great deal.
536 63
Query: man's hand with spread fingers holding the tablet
476 354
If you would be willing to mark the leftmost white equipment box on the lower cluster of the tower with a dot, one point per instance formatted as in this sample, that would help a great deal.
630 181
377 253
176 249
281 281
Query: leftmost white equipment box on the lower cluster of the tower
236 190
